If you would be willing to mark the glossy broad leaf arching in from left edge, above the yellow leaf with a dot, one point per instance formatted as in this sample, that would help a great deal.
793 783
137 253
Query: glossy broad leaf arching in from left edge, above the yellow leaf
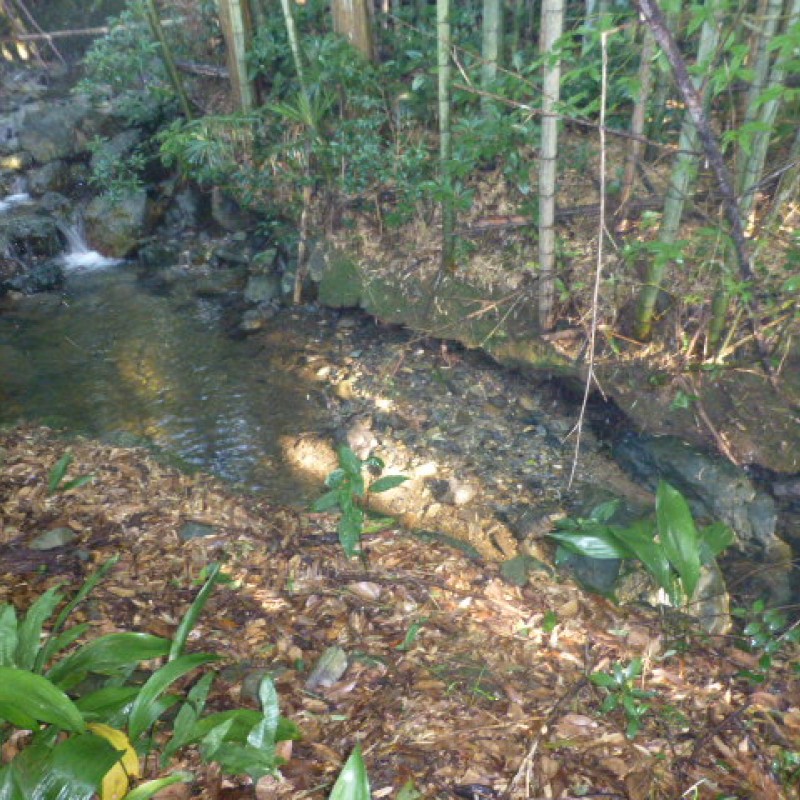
32 695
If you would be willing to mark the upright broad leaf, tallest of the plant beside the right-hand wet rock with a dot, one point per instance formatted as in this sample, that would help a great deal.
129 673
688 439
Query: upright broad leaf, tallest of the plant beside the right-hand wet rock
678 535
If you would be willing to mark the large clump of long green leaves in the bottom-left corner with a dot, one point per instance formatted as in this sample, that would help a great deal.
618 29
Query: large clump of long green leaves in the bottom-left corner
105 718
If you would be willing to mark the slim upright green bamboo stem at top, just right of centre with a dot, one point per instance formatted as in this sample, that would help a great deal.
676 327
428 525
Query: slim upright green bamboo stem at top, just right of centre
445 145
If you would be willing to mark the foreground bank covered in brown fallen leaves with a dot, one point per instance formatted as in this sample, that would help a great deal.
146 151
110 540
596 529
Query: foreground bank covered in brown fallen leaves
457 681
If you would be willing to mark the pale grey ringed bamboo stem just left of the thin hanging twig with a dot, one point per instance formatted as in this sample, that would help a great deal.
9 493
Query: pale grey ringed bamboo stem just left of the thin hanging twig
552 26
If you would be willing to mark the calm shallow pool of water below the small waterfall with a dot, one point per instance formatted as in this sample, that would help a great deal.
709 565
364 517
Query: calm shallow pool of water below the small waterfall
111 357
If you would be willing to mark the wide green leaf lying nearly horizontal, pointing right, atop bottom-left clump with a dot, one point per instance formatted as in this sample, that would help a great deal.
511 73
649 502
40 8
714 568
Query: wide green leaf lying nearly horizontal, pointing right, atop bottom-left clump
108 655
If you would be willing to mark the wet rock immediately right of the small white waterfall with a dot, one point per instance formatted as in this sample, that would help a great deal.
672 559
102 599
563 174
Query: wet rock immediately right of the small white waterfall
115 224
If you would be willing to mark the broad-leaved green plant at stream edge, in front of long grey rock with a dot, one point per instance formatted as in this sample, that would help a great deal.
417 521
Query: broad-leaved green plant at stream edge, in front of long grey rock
669 547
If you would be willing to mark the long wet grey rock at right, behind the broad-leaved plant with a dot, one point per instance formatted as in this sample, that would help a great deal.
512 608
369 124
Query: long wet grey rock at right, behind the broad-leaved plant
714 488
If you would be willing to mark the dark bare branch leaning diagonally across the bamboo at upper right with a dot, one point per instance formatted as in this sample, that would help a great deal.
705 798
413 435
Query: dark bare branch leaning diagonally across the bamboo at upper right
654 17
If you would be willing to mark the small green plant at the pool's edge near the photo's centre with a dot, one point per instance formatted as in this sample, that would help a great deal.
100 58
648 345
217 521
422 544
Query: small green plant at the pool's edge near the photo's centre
348 493
